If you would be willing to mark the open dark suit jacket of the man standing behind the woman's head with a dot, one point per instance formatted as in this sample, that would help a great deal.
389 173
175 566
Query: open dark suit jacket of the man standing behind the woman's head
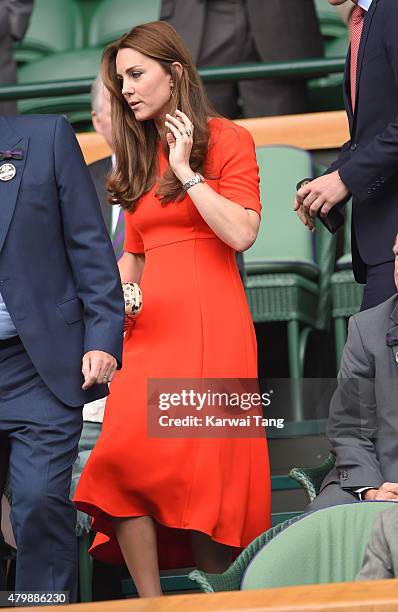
282 29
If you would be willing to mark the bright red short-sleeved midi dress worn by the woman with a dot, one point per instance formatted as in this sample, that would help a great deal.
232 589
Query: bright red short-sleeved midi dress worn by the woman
195 323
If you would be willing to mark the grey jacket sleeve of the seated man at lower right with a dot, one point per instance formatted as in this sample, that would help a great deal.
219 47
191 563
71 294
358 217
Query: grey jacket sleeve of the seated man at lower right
352 424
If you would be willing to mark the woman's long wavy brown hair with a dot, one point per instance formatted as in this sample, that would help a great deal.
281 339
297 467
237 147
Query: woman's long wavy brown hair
136 143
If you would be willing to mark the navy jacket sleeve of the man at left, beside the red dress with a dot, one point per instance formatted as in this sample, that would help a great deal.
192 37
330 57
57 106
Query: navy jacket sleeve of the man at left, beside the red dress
88 246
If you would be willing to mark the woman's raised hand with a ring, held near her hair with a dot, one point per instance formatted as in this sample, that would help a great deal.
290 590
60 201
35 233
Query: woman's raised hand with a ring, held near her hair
180 141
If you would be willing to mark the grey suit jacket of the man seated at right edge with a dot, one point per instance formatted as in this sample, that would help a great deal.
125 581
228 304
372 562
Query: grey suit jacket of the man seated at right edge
363 420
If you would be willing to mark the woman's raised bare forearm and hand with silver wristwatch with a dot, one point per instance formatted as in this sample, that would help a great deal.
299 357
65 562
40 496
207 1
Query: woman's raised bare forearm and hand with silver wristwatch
231 222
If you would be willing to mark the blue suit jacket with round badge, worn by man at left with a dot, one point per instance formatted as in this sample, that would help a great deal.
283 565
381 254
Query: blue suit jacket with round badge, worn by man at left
58 274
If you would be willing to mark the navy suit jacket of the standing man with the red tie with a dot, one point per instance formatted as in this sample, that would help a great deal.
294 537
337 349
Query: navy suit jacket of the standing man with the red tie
368 162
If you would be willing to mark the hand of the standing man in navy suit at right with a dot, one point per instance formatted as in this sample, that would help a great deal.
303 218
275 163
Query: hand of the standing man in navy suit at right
321 194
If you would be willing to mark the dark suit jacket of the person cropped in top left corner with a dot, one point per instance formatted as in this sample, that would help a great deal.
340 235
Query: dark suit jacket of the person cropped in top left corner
14 20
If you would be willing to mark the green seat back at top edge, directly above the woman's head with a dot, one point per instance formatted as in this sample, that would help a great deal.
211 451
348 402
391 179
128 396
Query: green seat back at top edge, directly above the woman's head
115 17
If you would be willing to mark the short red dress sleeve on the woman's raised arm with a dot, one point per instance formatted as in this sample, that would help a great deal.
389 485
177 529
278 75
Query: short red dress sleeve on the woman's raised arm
239 179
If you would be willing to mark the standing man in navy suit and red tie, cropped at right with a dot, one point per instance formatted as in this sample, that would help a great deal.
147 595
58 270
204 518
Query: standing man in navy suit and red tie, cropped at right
367 166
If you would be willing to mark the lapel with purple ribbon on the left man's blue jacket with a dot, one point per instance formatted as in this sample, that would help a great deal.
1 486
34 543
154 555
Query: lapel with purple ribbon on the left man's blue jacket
9 189
